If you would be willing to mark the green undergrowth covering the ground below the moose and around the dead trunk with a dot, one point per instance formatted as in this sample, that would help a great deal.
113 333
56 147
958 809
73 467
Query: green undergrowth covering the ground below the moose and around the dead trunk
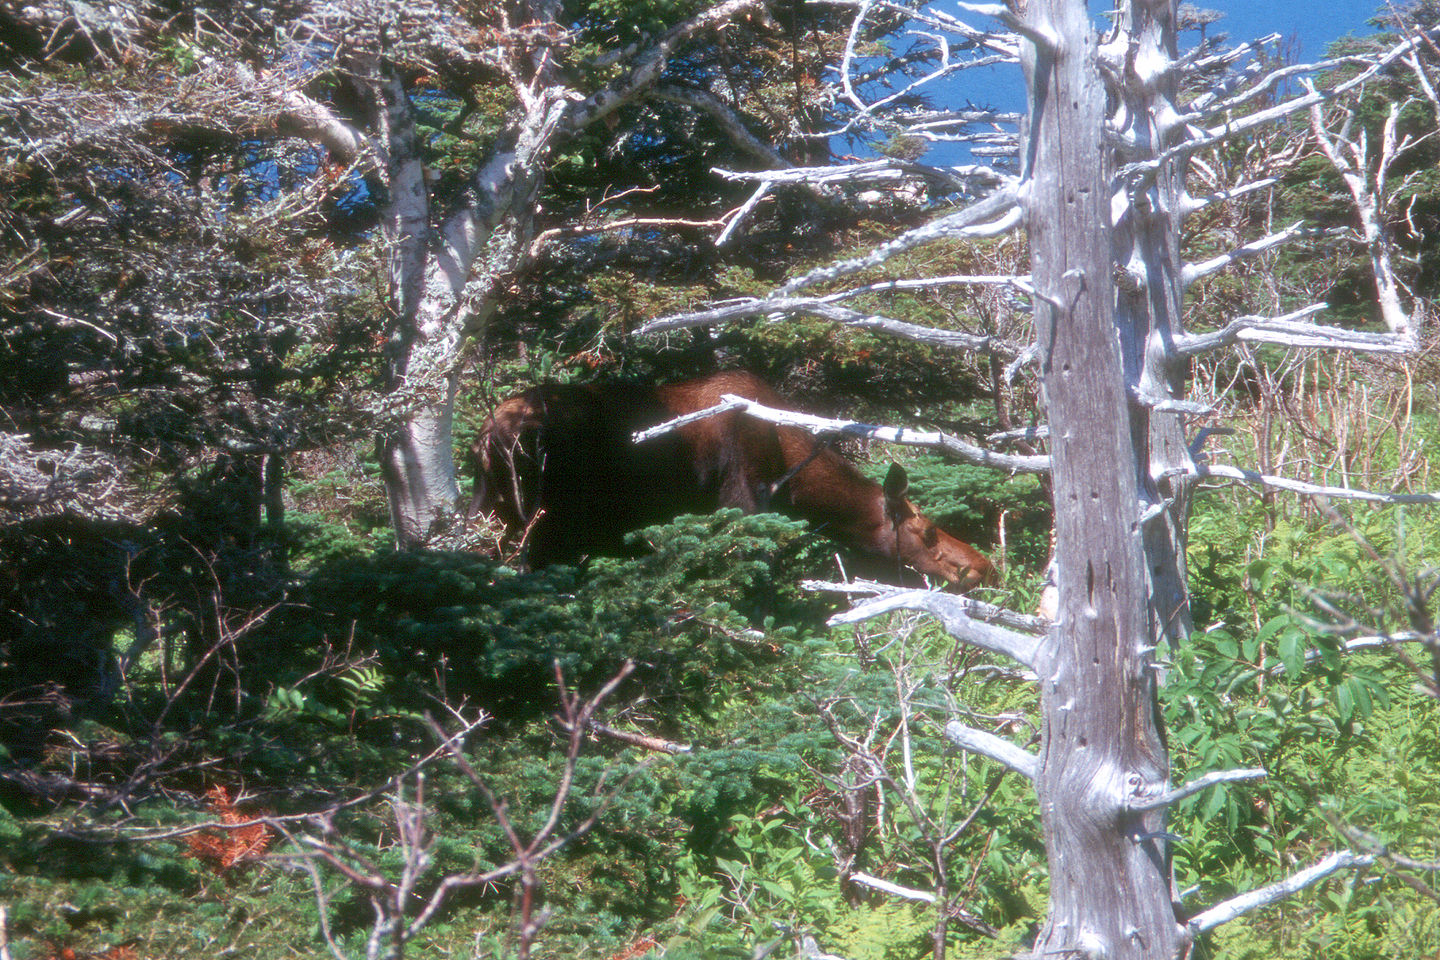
739 818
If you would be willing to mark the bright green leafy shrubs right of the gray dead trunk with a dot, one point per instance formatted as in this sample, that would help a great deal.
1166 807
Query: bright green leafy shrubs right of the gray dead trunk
1346 738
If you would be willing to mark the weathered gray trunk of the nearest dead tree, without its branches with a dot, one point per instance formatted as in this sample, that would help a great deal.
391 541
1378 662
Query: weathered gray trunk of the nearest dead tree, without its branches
1102 748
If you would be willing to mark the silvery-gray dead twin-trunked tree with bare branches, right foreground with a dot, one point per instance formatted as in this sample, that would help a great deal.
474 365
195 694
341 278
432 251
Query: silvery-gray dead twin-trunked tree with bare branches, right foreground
1102 195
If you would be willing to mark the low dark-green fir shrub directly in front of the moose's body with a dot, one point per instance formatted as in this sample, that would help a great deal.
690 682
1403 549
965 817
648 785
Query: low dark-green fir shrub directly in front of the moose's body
685 612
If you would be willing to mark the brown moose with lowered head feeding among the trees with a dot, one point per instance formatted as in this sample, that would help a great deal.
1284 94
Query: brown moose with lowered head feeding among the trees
557 466
